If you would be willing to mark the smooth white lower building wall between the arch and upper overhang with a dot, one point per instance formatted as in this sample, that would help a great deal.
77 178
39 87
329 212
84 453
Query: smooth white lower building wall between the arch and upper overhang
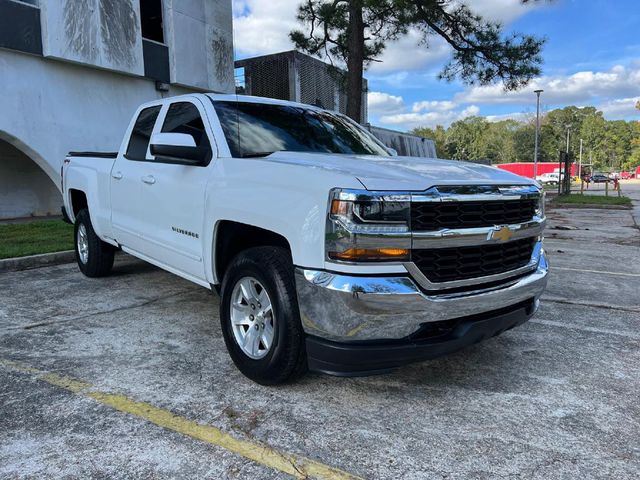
49 108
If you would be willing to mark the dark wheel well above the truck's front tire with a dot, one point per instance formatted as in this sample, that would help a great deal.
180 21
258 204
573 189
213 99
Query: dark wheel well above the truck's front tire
232 237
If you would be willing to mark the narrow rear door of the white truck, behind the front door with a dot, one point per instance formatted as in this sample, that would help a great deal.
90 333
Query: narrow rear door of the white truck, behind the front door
126 180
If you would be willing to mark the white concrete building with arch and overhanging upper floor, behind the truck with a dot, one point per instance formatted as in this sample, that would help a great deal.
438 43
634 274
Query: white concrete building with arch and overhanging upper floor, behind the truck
72 73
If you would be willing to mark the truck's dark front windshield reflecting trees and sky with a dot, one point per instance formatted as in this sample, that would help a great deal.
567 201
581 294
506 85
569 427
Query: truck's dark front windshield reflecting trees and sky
258 129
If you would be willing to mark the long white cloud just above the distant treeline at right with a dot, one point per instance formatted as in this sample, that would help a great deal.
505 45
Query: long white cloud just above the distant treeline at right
579 87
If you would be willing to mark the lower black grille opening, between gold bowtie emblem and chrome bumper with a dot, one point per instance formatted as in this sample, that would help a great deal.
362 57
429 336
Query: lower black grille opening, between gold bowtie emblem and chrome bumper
461 263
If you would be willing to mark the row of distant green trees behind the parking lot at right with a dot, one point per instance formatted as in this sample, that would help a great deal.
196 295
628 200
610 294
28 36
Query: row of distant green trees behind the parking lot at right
610 145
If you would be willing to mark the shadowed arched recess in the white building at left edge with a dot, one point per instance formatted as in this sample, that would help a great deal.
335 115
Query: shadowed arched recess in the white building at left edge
25 190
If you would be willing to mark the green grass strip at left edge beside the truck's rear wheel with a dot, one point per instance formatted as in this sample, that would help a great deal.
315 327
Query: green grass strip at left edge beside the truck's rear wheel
39 236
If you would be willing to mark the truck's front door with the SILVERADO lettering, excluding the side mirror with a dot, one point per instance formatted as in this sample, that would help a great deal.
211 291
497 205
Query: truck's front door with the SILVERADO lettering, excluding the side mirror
173 196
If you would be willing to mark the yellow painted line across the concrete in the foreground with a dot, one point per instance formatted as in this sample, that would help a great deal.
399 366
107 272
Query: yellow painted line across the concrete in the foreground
290 463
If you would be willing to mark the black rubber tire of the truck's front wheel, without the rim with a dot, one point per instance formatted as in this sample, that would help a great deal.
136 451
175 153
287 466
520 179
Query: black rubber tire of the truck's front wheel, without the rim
286 359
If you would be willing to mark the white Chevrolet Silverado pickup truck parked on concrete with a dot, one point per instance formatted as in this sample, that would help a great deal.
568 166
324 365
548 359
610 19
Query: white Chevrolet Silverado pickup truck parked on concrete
329 252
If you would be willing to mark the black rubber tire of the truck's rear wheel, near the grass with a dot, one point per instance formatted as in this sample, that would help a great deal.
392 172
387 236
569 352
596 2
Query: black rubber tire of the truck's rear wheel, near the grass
100 254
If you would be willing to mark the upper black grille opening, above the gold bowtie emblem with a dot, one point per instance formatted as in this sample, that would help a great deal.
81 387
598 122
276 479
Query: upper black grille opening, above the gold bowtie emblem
432 216
